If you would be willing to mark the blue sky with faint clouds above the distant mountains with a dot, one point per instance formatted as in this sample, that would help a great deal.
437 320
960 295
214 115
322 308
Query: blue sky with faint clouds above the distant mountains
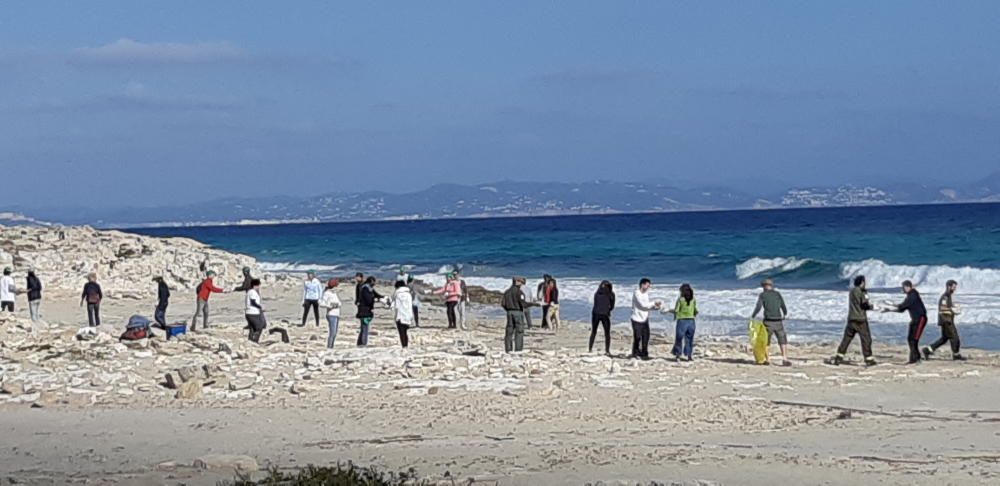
112 103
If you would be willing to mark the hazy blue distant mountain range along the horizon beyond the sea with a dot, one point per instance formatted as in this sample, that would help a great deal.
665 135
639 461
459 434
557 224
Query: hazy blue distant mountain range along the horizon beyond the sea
504 199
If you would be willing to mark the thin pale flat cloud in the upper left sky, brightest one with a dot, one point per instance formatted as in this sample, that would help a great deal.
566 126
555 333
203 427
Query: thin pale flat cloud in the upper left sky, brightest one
129 52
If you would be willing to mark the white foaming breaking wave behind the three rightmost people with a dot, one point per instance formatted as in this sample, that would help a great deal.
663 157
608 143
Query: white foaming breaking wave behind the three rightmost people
928 278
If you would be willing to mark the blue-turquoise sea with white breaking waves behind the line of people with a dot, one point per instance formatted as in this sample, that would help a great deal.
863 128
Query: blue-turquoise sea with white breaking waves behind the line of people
811 252
